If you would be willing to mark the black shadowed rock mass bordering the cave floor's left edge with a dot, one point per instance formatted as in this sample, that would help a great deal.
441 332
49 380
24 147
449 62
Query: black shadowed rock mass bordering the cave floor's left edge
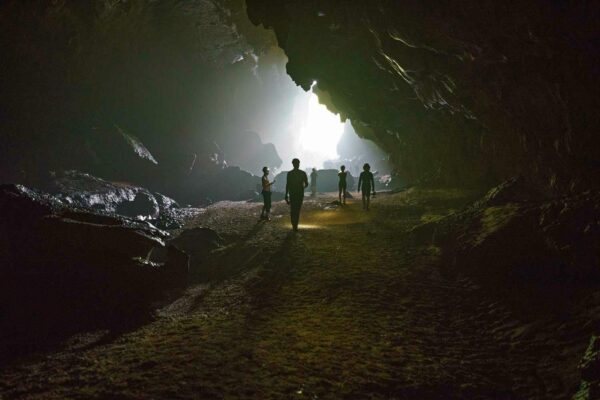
63 269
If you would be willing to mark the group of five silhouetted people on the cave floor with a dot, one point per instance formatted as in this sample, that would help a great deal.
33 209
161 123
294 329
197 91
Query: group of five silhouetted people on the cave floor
297 182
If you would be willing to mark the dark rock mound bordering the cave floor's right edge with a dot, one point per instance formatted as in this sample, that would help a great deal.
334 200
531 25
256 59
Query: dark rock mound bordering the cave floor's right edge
506 242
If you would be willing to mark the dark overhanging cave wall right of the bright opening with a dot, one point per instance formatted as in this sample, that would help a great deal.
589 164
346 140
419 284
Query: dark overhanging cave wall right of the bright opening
469 92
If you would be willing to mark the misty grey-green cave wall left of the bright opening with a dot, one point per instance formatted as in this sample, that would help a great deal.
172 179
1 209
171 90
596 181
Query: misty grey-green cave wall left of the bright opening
175 74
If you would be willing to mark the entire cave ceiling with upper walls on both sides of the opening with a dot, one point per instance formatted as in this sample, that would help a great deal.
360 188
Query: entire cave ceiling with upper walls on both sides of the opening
470 92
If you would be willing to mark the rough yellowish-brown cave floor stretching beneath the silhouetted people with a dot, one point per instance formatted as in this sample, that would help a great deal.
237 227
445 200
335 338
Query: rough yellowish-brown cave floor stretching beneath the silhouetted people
349 307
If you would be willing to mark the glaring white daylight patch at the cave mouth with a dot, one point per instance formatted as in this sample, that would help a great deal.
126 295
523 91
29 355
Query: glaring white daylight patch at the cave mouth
322 131
